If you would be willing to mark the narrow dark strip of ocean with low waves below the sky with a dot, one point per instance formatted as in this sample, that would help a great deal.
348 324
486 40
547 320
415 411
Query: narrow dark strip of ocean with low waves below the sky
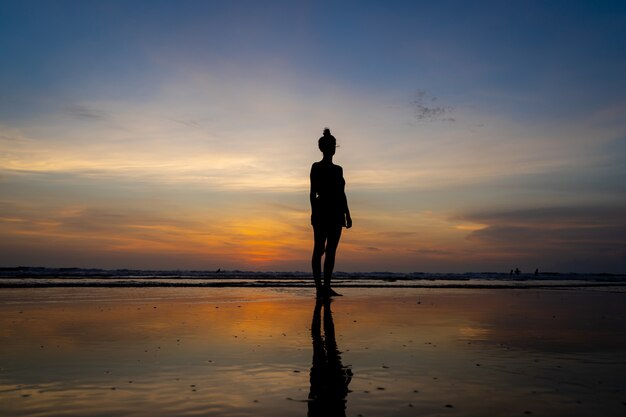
18 277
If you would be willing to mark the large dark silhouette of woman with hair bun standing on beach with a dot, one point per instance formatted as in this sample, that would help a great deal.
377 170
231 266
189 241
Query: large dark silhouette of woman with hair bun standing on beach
329 212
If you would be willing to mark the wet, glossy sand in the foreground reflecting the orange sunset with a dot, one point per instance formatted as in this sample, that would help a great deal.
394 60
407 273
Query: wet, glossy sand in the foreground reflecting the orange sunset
274 352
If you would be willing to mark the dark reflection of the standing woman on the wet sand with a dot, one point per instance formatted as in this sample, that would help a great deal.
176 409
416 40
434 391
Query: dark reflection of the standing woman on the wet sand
329 378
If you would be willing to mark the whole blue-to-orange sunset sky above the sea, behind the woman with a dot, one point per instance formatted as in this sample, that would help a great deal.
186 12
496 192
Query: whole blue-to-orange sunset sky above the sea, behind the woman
474 136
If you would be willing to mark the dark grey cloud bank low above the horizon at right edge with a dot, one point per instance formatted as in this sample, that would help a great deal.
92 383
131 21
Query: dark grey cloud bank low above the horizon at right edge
582 238
